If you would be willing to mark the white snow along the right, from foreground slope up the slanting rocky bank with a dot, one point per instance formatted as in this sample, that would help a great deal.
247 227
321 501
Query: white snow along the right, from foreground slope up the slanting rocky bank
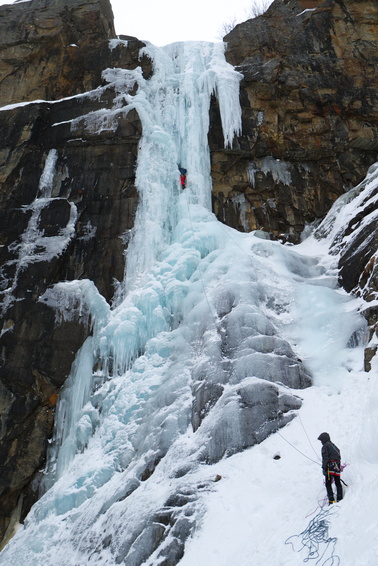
270 506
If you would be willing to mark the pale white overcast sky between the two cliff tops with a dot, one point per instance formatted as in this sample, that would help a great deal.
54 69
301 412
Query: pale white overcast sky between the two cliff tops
166 21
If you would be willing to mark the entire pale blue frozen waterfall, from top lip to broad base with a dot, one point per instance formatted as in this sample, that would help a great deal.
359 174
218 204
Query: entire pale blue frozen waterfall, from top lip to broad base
179 373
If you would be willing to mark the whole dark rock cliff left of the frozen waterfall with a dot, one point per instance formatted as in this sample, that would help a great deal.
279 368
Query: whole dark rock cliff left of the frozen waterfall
67 202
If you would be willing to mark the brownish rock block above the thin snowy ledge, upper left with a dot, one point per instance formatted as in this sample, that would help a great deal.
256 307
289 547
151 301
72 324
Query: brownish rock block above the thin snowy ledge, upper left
50 49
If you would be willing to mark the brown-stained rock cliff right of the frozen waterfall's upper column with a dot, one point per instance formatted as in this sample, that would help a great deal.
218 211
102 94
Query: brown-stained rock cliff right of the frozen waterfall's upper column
310 109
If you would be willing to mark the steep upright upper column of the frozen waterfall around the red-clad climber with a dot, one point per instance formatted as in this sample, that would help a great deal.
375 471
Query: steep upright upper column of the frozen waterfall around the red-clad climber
174 109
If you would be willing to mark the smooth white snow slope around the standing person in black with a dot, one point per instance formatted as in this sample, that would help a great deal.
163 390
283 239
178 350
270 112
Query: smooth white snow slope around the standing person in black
261 502
